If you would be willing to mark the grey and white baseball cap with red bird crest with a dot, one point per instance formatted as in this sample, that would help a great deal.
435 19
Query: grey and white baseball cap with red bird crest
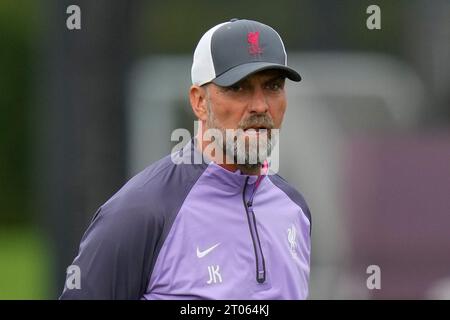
233 50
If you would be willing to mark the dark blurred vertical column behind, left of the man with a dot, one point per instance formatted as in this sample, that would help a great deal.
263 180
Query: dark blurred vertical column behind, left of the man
82 119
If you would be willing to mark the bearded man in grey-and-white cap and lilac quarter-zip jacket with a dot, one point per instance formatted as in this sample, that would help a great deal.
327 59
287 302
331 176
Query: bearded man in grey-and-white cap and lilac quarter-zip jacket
215 229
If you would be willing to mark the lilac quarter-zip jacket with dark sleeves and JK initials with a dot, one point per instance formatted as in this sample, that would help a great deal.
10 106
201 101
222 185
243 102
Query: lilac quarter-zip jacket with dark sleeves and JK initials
197 231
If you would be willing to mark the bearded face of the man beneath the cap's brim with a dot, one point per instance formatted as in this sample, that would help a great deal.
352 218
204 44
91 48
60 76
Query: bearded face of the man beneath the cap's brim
256 102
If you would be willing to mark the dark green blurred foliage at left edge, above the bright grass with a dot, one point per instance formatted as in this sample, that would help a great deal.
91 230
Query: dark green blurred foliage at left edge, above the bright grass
17 34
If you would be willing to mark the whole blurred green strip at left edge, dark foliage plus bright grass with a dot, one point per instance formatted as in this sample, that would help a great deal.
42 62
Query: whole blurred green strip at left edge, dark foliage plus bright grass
24 255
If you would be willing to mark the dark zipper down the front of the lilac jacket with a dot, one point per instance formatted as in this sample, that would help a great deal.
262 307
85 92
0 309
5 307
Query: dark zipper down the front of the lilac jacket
260 263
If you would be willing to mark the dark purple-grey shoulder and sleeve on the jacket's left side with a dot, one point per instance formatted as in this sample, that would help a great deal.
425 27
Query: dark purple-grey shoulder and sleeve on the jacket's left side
120 247
